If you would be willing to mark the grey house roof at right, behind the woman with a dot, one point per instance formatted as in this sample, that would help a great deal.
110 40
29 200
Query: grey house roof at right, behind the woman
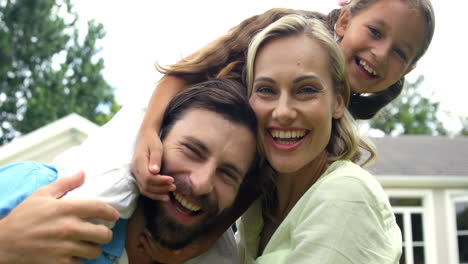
421 156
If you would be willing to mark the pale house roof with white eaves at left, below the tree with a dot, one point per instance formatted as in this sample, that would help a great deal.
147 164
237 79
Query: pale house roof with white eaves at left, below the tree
45 143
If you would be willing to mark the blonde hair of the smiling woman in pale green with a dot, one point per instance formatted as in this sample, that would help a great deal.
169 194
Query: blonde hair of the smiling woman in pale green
345 142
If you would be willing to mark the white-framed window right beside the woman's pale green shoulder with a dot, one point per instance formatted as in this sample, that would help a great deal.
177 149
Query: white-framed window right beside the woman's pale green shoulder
409 213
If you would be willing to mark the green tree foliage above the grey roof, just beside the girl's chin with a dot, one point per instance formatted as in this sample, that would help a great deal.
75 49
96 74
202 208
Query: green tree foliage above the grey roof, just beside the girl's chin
410 113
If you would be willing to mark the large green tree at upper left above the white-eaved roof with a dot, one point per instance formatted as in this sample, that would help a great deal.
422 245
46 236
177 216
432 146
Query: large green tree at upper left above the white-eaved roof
47 70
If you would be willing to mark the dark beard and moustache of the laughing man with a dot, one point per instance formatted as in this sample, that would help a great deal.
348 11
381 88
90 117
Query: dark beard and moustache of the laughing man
167 231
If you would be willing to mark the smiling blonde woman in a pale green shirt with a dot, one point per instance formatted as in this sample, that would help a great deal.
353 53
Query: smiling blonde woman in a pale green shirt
320 206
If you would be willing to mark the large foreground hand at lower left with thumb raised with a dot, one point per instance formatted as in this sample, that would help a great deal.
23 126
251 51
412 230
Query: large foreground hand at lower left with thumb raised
45 229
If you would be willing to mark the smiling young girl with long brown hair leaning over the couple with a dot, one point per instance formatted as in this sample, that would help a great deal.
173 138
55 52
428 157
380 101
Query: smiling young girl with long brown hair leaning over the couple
382 41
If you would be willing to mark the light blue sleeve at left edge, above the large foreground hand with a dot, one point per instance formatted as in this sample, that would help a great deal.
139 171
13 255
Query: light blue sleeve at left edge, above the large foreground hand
19 180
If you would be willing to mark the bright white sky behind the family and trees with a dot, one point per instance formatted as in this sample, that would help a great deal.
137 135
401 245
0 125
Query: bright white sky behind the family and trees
141 33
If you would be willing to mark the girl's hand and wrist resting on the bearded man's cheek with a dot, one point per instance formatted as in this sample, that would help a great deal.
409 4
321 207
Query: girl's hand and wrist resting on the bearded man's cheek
146 165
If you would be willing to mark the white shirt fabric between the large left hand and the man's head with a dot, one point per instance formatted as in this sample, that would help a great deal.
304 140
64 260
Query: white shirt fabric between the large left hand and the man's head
105 157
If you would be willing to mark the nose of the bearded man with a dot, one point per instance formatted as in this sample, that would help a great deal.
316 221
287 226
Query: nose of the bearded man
202 179
